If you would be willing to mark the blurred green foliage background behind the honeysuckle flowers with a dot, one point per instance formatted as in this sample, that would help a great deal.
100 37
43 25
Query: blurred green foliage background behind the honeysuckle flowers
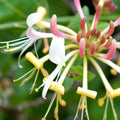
16 102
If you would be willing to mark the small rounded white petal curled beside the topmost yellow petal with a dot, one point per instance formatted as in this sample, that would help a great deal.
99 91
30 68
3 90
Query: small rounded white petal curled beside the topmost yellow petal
32 19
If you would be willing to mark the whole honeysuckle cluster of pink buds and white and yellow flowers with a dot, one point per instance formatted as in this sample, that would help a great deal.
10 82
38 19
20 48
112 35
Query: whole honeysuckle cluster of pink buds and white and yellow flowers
89 44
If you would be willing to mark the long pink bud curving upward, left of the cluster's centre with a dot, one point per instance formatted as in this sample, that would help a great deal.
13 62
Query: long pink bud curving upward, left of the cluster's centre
55 31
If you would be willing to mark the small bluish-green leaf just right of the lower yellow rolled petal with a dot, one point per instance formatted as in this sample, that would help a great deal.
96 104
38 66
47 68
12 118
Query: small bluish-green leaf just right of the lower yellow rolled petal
68 83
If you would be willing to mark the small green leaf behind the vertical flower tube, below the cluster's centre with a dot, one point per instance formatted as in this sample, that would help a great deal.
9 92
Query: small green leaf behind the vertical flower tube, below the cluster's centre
77 73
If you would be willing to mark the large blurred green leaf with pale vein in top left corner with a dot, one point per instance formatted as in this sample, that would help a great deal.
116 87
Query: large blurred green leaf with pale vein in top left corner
13 10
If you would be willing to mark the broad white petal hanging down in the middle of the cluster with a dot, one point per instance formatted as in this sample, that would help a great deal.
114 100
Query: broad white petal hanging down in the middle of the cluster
57 51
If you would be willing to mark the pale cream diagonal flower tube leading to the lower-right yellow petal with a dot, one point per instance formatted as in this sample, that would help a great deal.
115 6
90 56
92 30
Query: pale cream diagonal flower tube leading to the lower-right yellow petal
100 72
